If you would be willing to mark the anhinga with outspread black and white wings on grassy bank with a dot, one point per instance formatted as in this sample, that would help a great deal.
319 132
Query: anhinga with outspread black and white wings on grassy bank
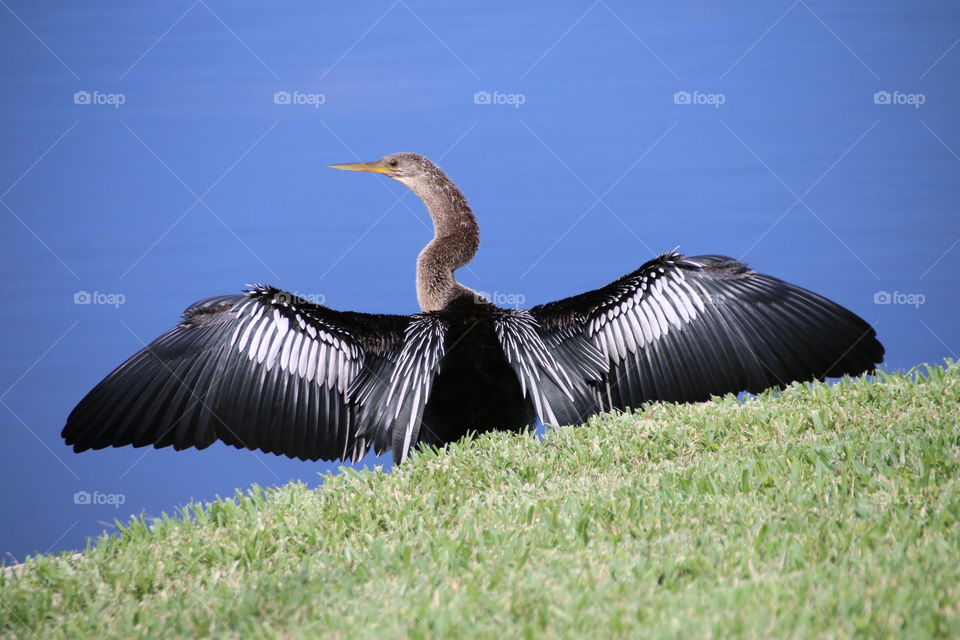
267 370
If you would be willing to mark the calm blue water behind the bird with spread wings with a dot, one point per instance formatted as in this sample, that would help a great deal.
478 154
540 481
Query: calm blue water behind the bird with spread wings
580 167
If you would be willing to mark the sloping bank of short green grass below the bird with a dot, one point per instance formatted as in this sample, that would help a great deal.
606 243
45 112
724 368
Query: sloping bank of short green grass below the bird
821 510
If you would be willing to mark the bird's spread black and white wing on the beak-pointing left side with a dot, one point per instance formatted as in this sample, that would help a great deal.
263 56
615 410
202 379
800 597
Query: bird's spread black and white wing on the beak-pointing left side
262 370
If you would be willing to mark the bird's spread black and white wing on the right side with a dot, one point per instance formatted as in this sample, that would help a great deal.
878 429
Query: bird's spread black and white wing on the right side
687 328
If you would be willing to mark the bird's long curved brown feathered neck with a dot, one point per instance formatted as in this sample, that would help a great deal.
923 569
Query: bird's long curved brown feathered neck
455 241
